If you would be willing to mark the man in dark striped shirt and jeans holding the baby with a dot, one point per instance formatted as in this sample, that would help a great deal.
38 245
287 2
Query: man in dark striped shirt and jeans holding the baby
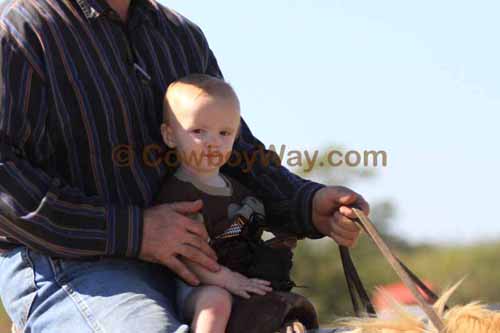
81 88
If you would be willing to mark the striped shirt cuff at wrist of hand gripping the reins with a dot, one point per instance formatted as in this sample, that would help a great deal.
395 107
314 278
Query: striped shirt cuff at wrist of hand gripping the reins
302 209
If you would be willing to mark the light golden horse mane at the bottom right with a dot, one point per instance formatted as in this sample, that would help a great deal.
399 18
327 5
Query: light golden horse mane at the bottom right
470 318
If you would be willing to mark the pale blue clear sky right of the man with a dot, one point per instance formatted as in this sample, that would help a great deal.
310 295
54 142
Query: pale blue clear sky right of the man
418 79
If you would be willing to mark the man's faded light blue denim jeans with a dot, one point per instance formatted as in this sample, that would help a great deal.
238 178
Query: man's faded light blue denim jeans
45 294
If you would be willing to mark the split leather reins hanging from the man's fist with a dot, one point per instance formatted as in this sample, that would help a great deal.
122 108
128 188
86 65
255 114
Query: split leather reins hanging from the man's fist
410 280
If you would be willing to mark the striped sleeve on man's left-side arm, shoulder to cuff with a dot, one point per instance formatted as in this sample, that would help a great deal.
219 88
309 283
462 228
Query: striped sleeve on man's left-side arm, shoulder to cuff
38 209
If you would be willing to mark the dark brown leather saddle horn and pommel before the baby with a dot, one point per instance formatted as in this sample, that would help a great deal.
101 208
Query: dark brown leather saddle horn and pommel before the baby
270 260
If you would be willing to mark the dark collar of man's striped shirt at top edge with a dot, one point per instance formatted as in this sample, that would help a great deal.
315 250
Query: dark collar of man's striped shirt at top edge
93 9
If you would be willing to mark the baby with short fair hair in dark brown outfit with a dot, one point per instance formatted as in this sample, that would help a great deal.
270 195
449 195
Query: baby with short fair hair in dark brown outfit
201 121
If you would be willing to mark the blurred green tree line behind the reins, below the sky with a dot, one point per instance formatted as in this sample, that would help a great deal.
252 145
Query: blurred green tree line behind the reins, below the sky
317 263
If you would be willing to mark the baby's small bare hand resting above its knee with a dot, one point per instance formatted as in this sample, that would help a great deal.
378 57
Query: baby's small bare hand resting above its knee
240 285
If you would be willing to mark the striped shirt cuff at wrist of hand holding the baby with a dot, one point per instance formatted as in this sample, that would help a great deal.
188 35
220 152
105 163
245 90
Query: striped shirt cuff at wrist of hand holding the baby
124 226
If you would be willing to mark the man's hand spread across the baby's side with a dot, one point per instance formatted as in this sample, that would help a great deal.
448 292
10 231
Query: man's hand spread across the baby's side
168 233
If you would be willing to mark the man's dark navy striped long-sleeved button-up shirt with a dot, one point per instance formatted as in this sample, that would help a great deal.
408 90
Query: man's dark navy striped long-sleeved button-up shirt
76 84
